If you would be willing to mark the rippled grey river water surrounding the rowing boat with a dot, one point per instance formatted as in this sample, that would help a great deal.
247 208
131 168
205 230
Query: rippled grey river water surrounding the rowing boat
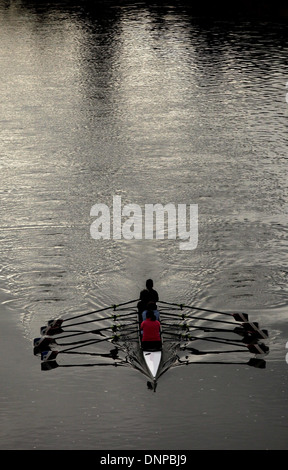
155 103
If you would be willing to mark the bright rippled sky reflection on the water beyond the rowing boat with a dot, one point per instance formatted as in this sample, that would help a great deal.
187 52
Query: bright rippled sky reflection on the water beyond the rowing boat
156 104
